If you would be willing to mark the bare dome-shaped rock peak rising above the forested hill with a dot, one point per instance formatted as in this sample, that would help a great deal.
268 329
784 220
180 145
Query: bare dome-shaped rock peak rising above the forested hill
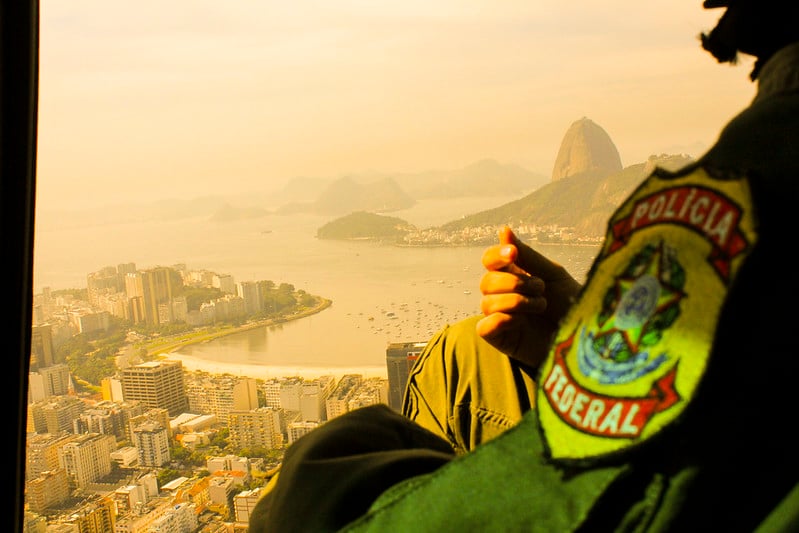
586 147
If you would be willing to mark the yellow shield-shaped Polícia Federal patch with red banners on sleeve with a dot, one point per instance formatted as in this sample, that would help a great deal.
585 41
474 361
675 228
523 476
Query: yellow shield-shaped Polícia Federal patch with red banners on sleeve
631 353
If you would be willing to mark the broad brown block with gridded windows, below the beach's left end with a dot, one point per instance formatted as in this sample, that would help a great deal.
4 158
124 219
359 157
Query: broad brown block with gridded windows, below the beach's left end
157 385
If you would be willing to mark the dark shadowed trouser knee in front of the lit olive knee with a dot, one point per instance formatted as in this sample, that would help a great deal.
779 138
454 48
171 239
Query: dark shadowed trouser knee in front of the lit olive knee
331 475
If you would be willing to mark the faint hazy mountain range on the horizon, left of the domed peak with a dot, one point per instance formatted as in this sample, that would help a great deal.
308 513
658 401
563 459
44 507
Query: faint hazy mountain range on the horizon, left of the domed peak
377 192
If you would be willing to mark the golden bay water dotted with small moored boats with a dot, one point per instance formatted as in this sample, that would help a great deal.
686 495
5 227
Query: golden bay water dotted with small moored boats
380 293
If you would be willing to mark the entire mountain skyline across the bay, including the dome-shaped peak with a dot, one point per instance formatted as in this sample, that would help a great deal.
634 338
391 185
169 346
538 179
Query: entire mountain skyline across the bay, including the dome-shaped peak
585 187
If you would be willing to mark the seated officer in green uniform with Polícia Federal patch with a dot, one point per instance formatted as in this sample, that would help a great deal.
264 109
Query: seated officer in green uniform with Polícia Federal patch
659 396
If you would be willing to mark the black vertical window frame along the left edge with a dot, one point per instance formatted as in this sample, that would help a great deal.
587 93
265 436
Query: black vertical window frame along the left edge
19 91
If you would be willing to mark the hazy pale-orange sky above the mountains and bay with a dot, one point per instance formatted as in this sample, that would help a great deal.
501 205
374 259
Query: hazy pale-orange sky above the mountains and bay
152 99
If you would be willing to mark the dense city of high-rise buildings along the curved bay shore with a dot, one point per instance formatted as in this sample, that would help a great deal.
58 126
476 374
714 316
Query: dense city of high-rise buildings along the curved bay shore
123 436
